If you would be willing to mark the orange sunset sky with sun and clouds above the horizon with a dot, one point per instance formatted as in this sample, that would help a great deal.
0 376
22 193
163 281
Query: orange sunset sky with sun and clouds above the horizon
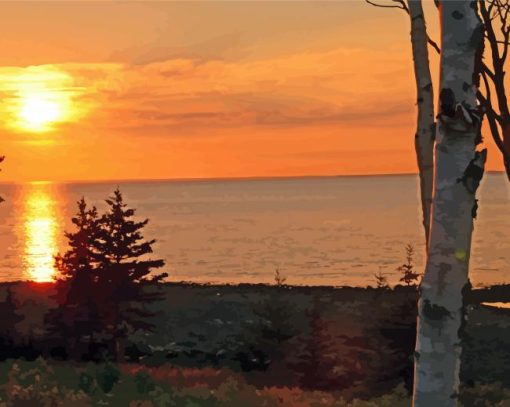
103 90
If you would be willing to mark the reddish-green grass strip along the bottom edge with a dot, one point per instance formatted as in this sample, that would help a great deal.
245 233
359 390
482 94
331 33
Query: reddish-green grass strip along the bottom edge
62 384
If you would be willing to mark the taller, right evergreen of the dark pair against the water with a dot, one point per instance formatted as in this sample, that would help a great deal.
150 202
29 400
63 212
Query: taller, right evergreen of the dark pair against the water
124 273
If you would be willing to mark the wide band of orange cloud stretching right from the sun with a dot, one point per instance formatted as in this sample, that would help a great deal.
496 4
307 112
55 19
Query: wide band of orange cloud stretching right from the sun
351 87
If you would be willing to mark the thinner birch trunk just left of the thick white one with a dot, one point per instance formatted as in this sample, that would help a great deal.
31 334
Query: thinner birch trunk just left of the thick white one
425 127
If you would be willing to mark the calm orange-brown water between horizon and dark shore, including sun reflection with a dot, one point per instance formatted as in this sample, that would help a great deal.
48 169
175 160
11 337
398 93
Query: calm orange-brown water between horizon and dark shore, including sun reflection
337 231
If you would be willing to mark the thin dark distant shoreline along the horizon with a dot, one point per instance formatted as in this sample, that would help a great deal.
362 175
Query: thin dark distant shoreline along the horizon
221 179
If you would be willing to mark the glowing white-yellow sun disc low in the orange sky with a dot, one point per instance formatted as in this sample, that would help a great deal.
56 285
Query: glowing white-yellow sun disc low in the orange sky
38 111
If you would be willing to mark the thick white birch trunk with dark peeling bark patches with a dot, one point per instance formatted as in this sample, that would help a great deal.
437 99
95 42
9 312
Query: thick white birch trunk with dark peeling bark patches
457 174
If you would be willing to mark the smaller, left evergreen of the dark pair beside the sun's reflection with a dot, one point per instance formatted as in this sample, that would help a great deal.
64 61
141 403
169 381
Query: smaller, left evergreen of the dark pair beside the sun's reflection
76 316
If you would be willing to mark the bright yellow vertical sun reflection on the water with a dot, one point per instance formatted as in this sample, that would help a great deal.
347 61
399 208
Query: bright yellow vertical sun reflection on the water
40 229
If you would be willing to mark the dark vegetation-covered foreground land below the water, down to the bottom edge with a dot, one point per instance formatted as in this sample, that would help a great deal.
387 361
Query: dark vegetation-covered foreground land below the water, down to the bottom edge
266 345
